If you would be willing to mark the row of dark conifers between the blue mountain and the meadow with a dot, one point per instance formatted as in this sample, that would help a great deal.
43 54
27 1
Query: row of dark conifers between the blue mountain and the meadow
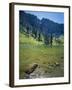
39 36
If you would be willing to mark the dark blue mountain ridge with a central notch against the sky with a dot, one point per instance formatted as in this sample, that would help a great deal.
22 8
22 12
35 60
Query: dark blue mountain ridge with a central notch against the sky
44 26
